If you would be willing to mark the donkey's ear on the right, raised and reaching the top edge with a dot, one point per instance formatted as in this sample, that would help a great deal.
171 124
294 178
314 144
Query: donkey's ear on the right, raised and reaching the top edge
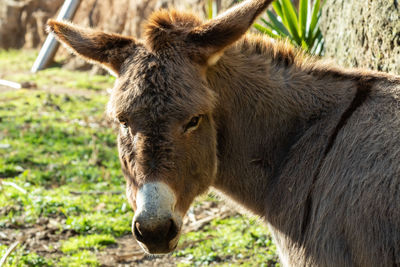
215 35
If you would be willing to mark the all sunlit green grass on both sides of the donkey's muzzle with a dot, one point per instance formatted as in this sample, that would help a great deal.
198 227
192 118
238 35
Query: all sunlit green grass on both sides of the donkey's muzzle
60 148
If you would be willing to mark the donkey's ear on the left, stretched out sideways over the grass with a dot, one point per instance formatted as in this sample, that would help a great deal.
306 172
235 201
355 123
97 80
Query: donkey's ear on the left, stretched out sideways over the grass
110 50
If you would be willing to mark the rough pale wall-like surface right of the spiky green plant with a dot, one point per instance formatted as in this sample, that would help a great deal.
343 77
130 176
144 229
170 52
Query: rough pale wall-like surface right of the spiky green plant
363 33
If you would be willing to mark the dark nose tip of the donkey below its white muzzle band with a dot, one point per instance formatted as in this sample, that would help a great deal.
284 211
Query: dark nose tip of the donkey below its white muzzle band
158 237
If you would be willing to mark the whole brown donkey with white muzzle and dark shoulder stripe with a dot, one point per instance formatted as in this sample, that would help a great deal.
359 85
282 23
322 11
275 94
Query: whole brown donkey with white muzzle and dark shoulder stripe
310 148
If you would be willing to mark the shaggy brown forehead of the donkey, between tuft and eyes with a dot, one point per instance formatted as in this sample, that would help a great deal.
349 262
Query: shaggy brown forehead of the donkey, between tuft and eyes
159 88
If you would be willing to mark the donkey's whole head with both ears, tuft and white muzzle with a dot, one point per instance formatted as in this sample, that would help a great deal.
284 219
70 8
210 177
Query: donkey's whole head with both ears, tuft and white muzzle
167 136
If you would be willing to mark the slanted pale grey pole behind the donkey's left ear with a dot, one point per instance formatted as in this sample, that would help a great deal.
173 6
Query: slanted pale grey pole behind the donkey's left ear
51 45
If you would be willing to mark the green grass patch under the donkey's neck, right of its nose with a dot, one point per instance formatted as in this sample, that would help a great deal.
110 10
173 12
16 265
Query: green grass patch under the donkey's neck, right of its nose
236 239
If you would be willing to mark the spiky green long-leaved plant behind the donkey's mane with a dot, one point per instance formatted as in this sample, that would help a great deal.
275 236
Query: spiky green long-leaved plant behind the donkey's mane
300 27
